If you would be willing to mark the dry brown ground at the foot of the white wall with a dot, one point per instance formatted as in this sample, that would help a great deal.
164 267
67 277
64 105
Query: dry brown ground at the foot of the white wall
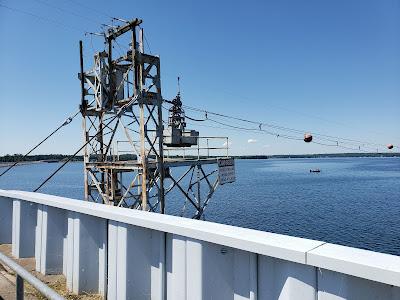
56 282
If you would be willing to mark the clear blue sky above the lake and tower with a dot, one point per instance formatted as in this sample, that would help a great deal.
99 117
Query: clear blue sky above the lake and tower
323 66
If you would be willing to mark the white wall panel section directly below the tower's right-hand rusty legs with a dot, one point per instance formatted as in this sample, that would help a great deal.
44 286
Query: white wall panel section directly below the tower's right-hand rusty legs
133 273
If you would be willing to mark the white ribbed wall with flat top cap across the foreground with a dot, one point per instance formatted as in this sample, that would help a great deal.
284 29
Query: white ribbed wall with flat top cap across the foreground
152 256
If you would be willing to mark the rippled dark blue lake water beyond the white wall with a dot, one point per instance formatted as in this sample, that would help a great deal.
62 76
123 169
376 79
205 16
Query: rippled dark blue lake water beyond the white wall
353 201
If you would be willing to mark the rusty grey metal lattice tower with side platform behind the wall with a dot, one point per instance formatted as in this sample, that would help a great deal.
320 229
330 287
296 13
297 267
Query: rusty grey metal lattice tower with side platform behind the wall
121 99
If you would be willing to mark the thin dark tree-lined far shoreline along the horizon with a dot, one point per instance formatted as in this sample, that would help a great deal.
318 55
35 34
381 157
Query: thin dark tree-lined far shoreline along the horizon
7 160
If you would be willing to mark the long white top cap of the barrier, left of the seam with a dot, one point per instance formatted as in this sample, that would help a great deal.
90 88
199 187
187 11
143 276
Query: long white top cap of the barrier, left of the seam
265 243
